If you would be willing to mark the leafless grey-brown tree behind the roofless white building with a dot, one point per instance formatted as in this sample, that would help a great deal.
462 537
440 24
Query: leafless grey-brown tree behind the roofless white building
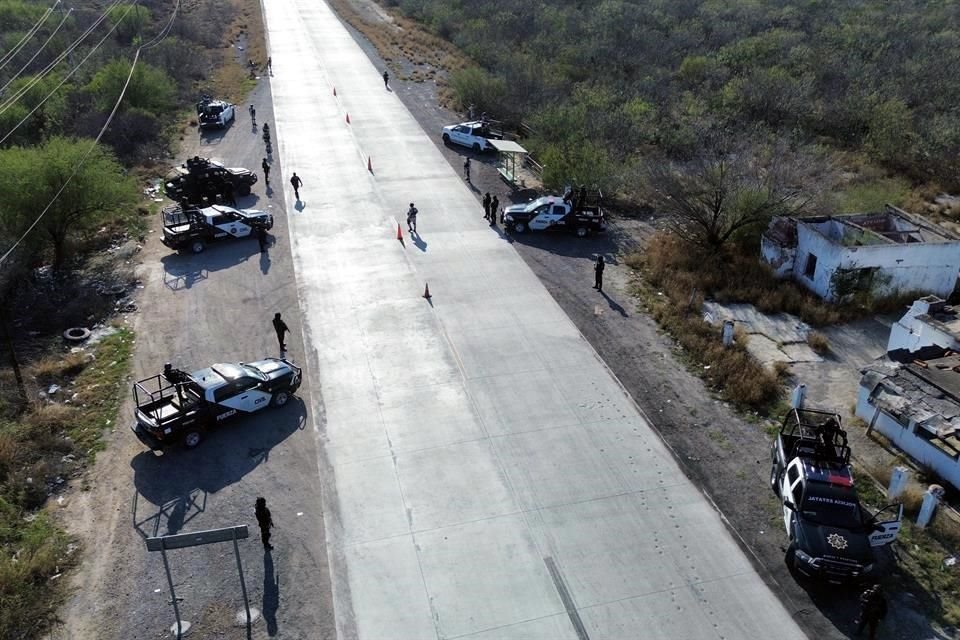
732 187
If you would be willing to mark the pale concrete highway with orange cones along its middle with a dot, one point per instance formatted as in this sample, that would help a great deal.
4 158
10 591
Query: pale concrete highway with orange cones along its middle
483 473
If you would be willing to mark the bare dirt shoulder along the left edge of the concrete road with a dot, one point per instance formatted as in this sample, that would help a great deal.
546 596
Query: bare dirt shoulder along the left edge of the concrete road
196 310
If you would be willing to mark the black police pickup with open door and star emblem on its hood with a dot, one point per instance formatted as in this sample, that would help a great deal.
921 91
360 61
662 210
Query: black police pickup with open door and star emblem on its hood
832 536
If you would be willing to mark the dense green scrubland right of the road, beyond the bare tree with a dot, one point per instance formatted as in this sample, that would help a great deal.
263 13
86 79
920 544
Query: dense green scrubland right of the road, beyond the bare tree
605 82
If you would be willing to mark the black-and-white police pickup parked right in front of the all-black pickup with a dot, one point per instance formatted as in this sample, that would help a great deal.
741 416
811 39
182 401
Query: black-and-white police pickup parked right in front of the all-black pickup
193 228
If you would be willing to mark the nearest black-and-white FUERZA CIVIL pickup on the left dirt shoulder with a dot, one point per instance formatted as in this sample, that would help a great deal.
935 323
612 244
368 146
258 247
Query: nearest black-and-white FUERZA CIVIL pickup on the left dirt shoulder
179 407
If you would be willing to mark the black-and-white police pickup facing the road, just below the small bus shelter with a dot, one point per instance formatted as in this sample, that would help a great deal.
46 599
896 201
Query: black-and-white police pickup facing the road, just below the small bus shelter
580 214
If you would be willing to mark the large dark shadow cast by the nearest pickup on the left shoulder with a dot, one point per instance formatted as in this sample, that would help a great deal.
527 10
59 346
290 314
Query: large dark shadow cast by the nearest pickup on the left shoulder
172 489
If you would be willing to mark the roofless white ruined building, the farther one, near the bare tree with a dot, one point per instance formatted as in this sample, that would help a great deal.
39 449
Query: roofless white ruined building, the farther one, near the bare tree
887 252
